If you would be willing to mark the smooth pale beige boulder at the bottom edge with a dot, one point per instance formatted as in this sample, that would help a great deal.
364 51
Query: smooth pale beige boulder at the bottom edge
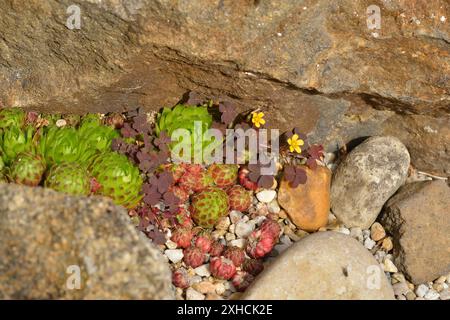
324 265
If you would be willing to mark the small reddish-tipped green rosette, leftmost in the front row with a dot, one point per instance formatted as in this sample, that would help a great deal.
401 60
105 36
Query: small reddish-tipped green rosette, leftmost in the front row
27 169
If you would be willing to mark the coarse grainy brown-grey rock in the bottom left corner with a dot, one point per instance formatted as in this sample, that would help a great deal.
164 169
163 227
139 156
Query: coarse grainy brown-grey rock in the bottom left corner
47 239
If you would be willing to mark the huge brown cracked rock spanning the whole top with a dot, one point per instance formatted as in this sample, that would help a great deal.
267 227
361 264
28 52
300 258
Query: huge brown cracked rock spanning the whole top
311 64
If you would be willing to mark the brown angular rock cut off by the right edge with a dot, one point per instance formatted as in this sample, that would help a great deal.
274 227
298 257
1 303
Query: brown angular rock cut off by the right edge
418 217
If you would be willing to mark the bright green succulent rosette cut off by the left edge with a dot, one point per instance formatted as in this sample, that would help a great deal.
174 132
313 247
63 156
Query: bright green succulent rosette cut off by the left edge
14 140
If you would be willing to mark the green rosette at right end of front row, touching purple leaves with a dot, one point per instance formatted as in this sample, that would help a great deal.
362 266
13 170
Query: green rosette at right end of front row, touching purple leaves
119 179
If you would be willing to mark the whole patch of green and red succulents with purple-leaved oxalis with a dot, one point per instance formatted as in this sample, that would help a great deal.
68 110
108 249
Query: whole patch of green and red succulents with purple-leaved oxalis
136 164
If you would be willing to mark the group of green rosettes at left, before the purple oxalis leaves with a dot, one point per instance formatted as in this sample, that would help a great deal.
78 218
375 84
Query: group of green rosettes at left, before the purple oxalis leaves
66 158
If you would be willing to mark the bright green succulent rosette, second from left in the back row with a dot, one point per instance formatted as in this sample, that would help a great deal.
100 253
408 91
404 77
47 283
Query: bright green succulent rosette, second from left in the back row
59 145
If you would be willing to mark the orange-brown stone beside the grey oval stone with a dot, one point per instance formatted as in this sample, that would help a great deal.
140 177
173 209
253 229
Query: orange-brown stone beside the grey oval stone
308 205
